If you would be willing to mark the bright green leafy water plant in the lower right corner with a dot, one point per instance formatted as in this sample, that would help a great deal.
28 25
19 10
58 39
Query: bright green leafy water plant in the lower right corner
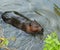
52 42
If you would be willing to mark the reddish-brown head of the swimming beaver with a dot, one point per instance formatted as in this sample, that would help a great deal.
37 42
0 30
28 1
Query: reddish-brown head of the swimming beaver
34 28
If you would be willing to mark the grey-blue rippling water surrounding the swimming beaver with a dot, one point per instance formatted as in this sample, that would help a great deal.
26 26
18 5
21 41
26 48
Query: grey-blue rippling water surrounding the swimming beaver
47 17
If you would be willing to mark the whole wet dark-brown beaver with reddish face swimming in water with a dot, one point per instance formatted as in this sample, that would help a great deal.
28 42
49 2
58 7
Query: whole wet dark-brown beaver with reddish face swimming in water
21 22
